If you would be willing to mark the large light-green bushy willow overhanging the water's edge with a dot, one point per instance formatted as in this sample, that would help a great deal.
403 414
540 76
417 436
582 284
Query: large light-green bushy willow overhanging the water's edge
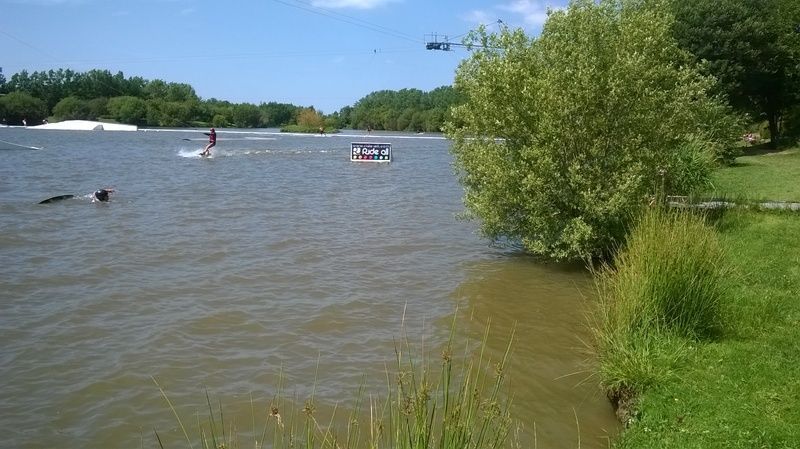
563 136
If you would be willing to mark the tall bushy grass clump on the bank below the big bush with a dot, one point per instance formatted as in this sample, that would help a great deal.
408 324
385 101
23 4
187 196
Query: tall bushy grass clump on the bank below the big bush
664 290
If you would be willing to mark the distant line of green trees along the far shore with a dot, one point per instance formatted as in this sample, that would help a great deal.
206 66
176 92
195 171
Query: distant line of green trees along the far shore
64 94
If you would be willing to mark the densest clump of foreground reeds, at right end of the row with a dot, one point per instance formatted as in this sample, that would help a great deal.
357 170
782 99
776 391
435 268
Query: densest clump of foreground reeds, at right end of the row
463 407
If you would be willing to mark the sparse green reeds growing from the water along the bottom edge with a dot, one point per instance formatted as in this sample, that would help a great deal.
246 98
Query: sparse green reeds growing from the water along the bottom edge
458 404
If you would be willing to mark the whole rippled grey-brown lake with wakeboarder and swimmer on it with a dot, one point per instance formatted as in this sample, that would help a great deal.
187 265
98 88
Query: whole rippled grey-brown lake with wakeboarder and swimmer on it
276 255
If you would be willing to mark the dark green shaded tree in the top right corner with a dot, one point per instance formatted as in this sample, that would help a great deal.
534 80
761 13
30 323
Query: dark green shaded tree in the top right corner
752 47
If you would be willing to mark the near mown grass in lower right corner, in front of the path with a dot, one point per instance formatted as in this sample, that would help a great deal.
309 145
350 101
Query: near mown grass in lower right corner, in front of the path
743 390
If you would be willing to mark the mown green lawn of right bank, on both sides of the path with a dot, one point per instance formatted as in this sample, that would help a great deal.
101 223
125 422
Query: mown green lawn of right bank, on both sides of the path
739 386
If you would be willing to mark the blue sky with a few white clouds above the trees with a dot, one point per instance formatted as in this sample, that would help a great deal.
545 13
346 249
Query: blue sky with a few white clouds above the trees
322 53
